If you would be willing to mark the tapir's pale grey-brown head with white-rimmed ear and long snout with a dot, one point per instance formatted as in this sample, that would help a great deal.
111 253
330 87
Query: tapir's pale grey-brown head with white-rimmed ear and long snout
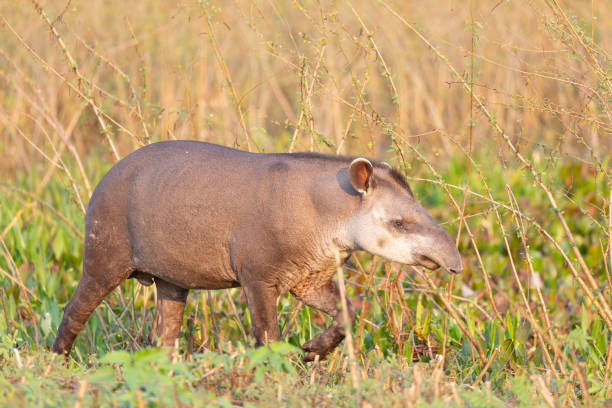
392 224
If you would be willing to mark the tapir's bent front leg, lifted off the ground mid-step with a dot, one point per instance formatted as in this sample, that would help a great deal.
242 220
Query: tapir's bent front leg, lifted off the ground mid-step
327 299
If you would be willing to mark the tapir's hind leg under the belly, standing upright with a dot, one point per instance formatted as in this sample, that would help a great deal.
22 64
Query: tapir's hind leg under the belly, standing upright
168 313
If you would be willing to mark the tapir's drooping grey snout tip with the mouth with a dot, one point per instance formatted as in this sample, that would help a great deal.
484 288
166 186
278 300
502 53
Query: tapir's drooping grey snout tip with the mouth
439 252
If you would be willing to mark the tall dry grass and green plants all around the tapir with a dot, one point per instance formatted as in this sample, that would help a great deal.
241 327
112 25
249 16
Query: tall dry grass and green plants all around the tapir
498 113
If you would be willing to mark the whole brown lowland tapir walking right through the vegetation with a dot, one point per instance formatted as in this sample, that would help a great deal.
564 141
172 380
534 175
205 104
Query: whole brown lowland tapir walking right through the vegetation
192 215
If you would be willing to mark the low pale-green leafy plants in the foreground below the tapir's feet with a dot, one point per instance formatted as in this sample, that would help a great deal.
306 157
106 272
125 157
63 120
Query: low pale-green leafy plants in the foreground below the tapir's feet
150 377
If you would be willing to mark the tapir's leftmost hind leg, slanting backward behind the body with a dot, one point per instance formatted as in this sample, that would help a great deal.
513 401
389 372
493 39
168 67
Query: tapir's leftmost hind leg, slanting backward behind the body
89 294
